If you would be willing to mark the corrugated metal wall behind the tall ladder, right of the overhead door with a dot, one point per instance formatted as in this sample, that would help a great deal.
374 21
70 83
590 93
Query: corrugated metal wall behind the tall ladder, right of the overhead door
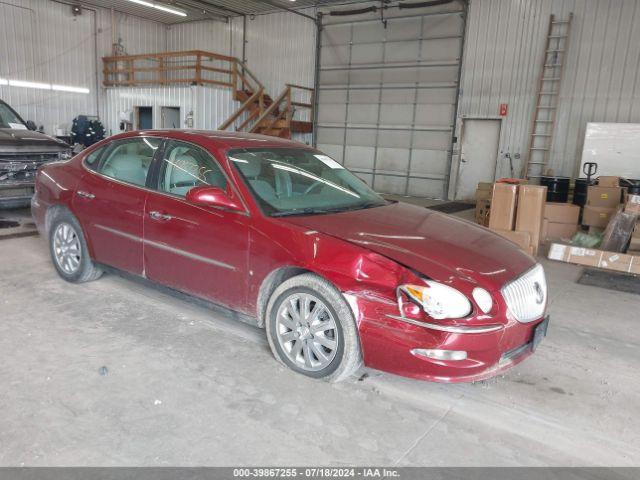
502 61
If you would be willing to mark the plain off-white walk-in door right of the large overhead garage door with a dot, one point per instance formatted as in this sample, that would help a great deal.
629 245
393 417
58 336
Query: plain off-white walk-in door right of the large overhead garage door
480 139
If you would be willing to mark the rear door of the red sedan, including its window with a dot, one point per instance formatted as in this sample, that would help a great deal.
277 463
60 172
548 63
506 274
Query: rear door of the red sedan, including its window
109 201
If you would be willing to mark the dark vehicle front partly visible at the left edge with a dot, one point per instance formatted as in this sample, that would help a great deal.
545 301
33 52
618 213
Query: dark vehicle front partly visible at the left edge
22 151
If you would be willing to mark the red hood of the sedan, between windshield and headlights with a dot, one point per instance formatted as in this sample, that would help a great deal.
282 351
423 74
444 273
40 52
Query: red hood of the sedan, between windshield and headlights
437 245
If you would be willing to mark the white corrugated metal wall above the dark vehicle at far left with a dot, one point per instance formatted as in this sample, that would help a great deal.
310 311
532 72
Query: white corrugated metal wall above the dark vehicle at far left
47 45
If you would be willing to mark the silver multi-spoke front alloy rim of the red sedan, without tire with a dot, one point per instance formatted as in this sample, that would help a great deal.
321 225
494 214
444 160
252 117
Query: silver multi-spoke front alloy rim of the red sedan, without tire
307 331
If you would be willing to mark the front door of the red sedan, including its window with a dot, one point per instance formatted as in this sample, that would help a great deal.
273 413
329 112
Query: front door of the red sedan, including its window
196 249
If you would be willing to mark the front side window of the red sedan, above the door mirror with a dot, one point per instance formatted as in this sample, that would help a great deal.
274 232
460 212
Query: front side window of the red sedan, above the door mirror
185 166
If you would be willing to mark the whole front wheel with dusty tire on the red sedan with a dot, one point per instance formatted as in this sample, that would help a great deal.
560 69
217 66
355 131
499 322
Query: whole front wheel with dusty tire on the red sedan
311 329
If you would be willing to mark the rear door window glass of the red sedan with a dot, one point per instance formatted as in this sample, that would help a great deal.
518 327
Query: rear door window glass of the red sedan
129 160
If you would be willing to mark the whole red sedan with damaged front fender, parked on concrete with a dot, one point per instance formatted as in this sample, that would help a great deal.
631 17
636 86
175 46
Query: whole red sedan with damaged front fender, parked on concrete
280 232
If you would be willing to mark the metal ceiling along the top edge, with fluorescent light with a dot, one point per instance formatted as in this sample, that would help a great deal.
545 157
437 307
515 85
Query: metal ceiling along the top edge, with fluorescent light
204 9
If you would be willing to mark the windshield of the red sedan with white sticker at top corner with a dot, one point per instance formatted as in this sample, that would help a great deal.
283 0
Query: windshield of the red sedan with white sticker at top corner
299 181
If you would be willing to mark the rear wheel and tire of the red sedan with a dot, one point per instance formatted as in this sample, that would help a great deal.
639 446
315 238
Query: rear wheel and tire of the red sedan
74 263
